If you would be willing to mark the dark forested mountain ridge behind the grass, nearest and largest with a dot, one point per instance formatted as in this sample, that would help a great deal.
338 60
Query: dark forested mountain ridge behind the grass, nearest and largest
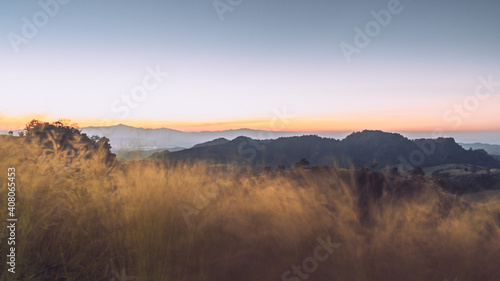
360 148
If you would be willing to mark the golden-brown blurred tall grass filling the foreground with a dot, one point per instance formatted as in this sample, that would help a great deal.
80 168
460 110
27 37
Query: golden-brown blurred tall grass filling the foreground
80 219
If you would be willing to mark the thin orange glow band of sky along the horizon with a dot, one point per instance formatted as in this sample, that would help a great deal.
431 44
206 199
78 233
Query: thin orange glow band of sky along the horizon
346 123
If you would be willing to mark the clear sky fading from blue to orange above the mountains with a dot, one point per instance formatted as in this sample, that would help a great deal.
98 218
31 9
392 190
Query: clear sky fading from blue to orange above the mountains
290 65
